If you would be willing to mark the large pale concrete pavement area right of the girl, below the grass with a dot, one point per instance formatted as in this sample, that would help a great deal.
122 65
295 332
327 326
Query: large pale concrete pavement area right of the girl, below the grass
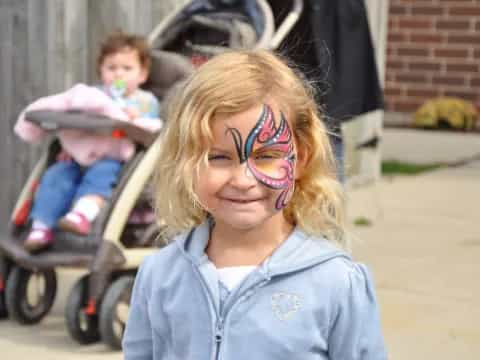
424 249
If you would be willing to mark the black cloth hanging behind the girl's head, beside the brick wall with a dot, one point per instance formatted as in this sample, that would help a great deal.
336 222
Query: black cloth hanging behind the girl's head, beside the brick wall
331 43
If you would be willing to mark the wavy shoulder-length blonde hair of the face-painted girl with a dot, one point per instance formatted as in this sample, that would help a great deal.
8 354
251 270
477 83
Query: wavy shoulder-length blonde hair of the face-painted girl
228 84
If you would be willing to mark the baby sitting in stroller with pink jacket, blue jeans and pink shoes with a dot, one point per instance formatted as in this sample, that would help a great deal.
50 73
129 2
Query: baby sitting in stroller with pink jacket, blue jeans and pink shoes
73 190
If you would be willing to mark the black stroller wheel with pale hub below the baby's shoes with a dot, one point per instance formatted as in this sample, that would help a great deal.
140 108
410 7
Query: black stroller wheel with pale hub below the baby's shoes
29 295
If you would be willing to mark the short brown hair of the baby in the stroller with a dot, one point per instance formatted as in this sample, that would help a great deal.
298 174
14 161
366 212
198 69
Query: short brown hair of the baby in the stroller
118 41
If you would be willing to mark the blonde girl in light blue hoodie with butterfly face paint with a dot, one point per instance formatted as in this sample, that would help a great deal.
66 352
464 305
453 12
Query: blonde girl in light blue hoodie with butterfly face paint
258 267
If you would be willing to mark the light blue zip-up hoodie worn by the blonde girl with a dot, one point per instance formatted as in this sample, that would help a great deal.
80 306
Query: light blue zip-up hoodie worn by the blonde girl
307 301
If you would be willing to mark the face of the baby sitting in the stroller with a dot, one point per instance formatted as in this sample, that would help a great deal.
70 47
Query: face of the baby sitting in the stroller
123 66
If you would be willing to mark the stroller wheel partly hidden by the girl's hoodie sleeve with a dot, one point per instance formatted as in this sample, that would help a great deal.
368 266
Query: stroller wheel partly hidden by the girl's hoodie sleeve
114 311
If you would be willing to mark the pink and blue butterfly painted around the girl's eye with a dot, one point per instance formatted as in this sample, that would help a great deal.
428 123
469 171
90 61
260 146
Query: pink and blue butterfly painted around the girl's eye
269 154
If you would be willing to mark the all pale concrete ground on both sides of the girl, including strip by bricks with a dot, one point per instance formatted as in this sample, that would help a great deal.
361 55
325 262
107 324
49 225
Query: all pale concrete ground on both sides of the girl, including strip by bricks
423 247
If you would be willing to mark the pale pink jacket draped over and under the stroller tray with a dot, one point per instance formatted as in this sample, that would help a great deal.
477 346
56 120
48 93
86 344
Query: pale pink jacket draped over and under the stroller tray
84 147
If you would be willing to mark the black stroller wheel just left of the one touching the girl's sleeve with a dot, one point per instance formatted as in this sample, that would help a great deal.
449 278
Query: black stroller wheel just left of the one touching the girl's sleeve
82 327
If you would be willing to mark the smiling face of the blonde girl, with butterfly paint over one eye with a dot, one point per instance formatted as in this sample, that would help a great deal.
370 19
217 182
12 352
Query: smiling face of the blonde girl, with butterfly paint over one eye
250 174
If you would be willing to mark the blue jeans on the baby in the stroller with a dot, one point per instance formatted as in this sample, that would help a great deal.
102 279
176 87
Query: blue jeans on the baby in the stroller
66 181
